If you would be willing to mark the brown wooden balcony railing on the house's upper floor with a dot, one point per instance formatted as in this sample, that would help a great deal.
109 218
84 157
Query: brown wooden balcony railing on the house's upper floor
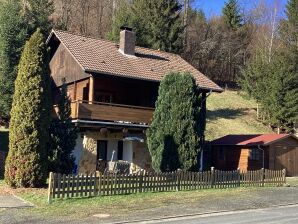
110 112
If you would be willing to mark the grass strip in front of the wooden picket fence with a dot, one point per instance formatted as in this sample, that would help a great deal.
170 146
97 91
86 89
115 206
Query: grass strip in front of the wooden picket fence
121 204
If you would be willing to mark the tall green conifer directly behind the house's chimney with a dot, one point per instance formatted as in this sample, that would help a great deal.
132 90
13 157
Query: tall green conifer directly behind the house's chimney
158 23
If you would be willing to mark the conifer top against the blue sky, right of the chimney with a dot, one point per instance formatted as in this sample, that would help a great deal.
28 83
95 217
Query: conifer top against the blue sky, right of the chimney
232 17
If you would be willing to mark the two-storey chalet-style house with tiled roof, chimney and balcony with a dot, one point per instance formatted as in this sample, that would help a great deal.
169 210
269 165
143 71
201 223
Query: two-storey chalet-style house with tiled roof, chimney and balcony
113 88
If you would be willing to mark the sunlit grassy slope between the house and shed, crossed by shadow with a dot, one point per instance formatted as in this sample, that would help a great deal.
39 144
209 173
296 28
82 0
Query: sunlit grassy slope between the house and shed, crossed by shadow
230 113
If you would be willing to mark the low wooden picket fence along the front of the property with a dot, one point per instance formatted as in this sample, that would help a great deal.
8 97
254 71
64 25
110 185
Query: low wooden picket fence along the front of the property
97 184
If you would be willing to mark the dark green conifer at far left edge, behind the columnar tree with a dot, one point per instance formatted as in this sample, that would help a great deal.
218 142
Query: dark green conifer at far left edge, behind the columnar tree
13 33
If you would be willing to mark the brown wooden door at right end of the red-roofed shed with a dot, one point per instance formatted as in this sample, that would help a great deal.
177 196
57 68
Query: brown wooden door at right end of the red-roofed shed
286 158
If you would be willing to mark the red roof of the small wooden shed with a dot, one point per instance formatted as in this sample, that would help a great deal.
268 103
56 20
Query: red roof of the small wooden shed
250 140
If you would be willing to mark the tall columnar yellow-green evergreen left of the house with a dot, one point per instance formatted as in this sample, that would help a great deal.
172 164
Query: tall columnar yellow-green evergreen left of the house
30 115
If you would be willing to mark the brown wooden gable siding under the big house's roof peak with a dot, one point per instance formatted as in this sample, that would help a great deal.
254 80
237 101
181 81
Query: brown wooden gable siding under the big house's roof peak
63 65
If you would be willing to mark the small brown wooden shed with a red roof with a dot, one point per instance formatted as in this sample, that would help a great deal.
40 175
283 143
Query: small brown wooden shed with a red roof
252 152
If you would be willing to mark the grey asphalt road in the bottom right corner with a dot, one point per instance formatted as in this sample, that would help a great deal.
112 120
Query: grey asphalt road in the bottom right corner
278 215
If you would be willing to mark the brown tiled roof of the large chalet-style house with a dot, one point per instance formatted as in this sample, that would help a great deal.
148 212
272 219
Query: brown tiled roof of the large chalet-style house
102 56
